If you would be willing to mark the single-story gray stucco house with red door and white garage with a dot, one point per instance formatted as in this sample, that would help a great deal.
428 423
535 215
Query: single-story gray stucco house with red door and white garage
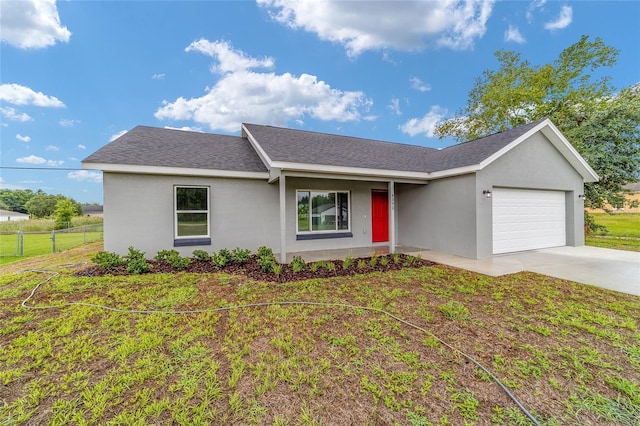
298 191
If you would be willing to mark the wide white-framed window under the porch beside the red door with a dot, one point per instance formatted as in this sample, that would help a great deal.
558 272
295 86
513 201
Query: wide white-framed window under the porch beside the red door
323 211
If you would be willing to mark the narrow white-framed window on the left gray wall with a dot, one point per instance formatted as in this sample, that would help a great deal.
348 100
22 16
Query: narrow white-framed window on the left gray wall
192 212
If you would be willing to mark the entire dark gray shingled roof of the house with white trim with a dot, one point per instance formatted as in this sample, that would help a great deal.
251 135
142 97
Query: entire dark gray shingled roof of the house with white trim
263 147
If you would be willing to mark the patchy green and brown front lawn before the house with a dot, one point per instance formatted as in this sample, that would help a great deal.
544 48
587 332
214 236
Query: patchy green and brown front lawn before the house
569 352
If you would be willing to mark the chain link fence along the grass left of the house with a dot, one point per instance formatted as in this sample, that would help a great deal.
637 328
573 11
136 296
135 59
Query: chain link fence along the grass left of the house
26 244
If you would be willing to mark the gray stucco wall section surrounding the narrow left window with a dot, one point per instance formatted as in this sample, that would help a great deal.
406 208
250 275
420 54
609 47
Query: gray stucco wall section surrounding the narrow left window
139 212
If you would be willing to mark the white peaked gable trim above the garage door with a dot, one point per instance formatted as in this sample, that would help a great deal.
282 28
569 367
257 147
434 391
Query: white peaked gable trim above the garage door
551 132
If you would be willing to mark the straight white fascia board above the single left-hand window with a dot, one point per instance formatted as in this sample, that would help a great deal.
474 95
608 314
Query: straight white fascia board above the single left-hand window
173 171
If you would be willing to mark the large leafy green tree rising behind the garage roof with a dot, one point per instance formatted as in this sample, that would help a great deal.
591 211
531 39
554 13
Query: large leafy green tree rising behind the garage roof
602 125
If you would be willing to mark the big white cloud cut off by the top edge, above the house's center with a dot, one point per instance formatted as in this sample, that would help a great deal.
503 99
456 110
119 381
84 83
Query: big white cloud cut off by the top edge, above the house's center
401 25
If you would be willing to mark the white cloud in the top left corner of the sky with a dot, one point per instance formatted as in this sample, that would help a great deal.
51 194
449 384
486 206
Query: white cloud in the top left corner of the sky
31 24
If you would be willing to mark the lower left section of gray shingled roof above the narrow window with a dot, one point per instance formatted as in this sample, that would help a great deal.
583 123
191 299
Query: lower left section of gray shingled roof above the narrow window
152 146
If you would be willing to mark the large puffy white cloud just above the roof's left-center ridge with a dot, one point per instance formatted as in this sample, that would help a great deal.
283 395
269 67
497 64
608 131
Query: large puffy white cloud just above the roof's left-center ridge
242 95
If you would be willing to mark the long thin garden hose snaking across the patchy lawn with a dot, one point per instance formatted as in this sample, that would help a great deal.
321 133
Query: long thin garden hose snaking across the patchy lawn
267 304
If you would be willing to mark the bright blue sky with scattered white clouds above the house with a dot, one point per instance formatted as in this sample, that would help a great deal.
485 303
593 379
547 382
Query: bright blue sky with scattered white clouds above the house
76 74
